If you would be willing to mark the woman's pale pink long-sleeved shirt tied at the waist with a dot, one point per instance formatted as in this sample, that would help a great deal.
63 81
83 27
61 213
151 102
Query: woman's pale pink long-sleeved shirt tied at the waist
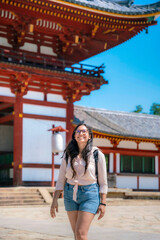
66 173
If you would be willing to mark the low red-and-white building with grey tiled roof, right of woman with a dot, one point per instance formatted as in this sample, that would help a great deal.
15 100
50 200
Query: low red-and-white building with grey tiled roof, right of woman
131 144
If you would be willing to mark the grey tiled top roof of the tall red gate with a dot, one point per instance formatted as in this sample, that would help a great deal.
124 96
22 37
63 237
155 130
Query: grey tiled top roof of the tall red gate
119 6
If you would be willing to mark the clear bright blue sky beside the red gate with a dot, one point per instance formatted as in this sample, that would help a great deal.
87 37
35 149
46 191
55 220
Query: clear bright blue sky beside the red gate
133 72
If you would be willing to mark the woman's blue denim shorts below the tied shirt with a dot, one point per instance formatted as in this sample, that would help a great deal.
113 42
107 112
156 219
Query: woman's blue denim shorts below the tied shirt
88 198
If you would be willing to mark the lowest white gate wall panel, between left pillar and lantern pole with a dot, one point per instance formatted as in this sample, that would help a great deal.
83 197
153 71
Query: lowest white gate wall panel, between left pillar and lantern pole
36 174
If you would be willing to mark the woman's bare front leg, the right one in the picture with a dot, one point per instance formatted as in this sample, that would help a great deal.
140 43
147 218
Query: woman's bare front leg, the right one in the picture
83 222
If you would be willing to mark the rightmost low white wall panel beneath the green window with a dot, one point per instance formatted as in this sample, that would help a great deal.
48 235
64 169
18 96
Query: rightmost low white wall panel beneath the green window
149 183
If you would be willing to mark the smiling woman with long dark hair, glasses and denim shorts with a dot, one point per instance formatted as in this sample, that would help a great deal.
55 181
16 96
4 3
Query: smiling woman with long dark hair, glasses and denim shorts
83 196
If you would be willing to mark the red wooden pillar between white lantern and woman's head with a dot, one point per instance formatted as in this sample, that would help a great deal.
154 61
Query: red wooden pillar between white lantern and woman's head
70 116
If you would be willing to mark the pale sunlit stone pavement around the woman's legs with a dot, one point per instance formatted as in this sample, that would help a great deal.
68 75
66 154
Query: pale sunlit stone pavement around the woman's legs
124 220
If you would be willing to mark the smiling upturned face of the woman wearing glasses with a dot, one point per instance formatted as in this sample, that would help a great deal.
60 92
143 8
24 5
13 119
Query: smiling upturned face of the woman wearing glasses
82 135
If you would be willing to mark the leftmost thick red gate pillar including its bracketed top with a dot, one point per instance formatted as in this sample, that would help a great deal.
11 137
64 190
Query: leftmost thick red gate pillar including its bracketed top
19 86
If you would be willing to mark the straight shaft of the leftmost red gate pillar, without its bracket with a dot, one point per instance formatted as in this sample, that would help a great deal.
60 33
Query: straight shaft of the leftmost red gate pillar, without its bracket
18 136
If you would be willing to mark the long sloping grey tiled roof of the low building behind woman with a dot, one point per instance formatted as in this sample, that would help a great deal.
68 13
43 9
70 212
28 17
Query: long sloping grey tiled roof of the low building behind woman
119 123
